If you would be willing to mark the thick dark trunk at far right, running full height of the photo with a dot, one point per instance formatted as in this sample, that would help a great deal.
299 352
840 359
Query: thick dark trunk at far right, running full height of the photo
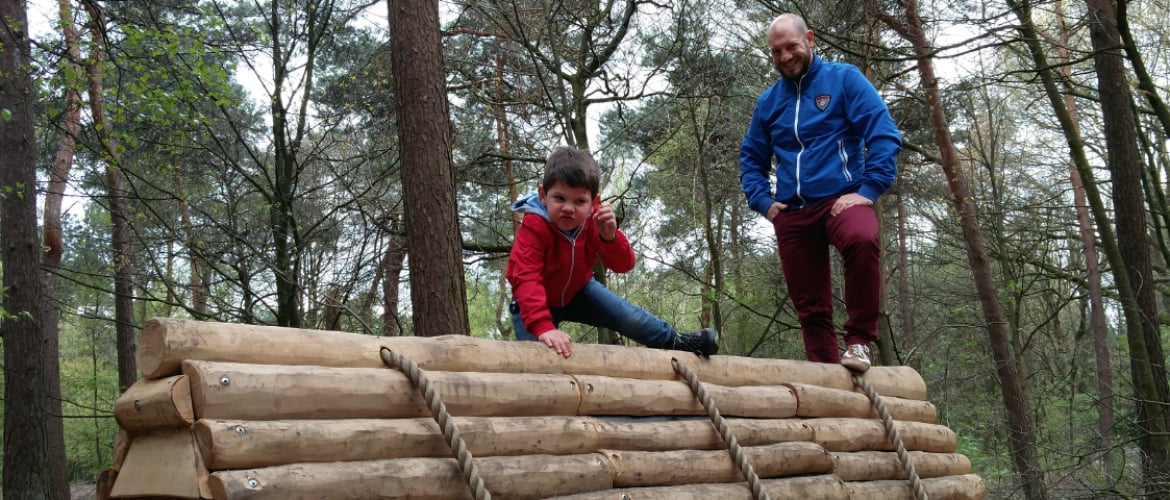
1147 358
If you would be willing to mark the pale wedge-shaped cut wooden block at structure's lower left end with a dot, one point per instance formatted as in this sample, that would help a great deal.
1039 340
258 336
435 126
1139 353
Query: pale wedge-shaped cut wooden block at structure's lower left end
163 463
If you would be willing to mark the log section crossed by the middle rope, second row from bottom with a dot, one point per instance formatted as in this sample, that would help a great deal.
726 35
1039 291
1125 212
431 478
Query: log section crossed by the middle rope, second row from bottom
697 467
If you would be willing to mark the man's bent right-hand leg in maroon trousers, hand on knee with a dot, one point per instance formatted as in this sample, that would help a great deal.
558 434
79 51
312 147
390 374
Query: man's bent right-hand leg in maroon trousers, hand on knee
855 235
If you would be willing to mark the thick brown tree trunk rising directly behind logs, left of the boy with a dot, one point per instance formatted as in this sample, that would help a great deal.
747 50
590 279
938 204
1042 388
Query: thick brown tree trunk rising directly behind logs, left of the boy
439 299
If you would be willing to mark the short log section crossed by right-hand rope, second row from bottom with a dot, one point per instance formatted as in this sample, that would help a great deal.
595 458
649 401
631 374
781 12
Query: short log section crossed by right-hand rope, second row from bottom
880 465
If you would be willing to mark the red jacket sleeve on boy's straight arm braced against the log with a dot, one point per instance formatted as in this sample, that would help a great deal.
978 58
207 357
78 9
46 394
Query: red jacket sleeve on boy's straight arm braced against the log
526 275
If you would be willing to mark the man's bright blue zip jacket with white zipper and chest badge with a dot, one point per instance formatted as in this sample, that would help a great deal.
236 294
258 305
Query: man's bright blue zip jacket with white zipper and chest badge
831 134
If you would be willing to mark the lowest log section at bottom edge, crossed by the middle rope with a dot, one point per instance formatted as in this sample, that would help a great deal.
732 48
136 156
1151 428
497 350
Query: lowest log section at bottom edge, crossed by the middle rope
821 488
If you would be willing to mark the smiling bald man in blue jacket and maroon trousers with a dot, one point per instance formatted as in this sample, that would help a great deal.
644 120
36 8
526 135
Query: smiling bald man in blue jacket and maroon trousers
836 150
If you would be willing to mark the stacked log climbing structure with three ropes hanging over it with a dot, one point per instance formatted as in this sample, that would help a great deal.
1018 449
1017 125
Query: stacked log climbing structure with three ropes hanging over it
232 412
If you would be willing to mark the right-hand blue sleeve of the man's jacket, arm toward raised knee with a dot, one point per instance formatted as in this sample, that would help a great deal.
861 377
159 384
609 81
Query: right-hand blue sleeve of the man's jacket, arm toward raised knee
883 141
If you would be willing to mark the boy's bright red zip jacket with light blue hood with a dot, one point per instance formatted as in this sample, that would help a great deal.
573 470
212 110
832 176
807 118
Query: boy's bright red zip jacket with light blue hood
547 268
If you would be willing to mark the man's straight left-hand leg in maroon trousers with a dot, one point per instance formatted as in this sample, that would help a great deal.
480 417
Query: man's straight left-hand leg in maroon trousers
804 257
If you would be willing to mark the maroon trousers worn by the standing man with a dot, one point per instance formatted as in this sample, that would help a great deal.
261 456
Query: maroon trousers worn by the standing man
803 238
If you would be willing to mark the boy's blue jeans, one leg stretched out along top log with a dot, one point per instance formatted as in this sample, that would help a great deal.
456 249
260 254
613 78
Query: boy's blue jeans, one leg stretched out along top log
597 306
